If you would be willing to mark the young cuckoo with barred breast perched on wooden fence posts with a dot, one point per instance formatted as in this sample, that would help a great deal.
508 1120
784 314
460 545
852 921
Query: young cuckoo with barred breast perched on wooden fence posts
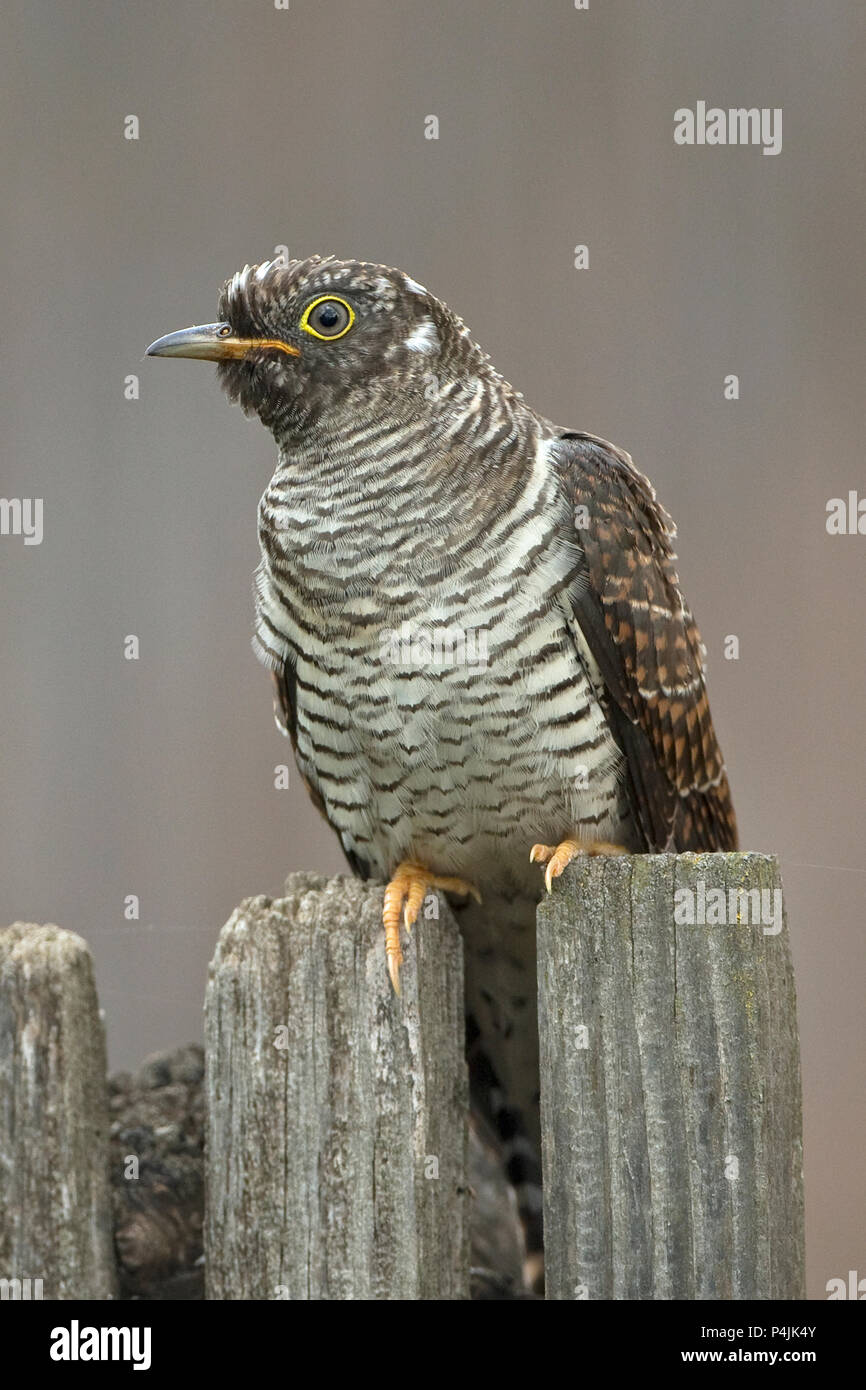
476 630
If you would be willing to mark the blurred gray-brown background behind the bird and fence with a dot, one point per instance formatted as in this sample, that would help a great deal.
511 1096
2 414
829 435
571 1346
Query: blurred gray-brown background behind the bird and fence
307 127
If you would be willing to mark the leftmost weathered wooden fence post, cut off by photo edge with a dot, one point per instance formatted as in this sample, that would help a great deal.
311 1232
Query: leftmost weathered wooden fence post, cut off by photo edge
55 1197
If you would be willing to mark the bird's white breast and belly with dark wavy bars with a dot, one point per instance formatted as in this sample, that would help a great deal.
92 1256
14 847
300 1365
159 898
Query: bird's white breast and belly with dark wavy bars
446 710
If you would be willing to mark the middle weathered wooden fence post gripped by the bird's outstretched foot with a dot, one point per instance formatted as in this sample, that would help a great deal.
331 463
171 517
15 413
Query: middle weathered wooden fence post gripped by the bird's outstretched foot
337 1114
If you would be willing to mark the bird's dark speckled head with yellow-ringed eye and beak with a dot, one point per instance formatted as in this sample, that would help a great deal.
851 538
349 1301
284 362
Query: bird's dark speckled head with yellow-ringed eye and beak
297 343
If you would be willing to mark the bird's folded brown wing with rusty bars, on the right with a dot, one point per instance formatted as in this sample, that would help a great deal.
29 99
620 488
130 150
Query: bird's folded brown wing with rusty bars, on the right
646 643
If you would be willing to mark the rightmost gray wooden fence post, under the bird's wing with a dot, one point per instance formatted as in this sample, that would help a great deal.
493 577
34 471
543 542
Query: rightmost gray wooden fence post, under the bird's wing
671 1082
